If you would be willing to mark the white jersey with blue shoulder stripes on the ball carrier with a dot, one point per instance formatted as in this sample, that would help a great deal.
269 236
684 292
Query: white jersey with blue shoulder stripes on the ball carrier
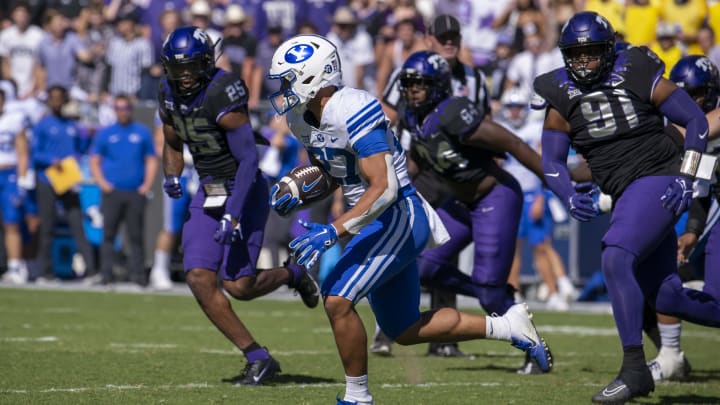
348 117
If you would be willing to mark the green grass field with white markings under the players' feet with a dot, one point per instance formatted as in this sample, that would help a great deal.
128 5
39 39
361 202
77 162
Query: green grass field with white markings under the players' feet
77 347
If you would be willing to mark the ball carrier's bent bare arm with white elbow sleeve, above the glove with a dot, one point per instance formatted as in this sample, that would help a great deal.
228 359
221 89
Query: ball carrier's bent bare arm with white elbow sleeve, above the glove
379 171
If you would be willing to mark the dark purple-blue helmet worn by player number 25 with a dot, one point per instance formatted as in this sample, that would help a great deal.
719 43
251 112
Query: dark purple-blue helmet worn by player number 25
188 57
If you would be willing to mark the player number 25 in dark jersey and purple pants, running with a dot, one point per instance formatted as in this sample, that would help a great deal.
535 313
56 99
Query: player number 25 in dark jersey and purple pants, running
206 108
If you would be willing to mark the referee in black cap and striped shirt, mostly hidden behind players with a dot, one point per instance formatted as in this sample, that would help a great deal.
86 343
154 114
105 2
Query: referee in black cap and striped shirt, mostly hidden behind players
444 38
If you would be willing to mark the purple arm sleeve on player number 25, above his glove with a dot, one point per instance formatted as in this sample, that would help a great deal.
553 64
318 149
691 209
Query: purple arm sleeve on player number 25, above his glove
241 142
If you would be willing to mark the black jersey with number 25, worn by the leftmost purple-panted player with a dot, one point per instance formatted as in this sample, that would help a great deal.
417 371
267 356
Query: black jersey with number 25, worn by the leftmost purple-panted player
196 122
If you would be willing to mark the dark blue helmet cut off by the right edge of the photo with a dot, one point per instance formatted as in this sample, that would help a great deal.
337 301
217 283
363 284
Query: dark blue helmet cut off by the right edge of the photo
699 77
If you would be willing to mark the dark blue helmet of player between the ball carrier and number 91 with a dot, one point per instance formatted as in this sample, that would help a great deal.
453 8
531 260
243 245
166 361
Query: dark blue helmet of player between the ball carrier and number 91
430 70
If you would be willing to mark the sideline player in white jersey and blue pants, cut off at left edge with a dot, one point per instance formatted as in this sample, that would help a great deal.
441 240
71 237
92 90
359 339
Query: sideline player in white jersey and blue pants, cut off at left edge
14 158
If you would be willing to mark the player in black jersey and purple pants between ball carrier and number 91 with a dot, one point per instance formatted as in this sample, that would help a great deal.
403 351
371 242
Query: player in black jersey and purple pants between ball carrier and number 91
485 201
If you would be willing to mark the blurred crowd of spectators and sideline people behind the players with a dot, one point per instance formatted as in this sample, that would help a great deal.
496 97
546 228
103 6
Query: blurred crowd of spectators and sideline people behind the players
78 67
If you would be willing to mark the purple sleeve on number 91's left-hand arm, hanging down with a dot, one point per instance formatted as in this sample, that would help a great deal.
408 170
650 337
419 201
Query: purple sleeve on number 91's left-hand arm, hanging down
555 146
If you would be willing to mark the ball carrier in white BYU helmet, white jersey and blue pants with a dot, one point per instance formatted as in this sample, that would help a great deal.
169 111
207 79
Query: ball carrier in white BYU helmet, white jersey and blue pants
347 134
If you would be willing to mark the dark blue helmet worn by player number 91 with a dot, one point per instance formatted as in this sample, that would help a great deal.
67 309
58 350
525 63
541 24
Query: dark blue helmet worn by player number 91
587 37
